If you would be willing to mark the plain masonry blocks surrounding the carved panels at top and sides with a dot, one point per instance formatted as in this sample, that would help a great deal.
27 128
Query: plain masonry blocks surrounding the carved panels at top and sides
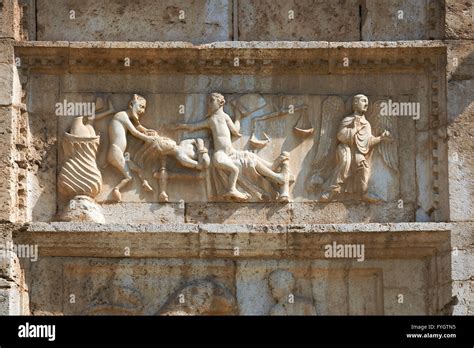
202 21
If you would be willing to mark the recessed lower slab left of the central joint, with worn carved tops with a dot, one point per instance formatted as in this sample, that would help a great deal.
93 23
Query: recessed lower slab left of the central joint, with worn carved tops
158 287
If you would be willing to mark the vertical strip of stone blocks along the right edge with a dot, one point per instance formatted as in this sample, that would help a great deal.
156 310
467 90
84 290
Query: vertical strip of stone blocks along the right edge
461 145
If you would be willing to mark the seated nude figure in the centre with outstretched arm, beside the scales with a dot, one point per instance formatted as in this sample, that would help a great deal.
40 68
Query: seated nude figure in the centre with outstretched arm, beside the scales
227 159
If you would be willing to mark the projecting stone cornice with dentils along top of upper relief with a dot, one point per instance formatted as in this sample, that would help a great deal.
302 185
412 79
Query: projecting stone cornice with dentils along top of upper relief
262 57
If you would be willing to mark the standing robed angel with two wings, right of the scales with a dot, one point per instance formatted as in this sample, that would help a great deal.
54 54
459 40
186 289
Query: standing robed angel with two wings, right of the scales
342 164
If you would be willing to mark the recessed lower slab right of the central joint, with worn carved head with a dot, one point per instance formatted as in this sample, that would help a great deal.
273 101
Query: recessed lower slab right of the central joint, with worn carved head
294 288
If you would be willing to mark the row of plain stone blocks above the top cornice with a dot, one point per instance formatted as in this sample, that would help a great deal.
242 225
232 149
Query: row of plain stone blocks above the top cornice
207 21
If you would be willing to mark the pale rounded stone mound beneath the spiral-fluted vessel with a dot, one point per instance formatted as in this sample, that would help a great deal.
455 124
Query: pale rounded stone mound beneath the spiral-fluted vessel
82 209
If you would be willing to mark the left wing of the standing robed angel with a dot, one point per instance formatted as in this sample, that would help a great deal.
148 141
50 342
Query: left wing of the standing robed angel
331 113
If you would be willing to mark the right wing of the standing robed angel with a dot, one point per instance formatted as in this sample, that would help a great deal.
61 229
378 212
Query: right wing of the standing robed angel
387 149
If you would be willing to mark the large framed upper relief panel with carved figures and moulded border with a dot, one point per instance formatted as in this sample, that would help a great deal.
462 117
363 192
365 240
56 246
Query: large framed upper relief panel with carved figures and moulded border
284 116
